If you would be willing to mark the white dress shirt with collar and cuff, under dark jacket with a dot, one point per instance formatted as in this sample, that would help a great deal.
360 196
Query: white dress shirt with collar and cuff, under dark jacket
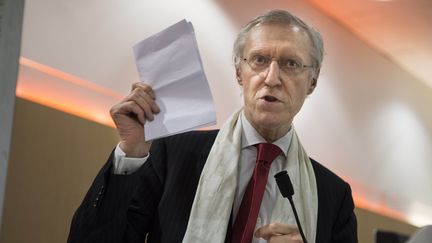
250 137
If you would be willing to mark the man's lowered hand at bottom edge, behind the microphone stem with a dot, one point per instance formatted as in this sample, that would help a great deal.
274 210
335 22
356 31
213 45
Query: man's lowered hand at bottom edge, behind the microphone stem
278 232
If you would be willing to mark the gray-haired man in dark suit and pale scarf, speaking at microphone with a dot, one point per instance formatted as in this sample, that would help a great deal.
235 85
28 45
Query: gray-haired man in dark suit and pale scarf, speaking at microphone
218 186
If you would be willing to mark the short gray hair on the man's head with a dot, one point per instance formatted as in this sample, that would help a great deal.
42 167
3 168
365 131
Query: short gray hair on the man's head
286 18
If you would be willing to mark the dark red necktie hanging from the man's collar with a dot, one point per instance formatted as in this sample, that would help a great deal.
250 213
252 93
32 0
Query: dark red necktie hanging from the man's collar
247 215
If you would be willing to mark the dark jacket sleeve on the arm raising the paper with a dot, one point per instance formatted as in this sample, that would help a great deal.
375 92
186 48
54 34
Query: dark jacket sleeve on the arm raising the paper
107 213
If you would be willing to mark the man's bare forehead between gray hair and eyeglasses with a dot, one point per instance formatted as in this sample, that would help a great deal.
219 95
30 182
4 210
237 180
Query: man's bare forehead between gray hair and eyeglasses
278 39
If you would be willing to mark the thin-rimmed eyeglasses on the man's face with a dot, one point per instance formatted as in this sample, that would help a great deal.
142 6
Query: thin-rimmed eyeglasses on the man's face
291 67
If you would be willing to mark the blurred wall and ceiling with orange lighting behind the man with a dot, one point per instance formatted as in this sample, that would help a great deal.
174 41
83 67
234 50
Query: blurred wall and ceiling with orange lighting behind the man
369 120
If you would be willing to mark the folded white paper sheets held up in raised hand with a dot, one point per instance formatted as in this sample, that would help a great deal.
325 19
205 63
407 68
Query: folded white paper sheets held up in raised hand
170 62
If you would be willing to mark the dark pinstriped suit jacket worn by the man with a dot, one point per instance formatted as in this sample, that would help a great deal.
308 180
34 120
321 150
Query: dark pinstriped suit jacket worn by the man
155 201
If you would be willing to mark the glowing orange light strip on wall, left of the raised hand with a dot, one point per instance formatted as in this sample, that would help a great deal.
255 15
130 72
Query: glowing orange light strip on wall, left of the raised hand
69 99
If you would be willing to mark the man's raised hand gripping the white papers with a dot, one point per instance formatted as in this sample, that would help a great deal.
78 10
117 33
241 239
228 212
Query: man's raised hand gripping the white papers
130 115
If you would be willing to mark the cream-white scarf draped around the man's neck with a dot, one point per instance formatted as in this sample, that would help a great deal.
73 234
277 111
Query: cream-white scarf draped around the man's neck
212 206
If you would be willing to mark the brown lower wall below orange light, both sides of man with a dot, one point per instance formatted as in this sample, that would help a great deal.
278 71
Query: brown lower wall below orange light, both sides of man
55 156
